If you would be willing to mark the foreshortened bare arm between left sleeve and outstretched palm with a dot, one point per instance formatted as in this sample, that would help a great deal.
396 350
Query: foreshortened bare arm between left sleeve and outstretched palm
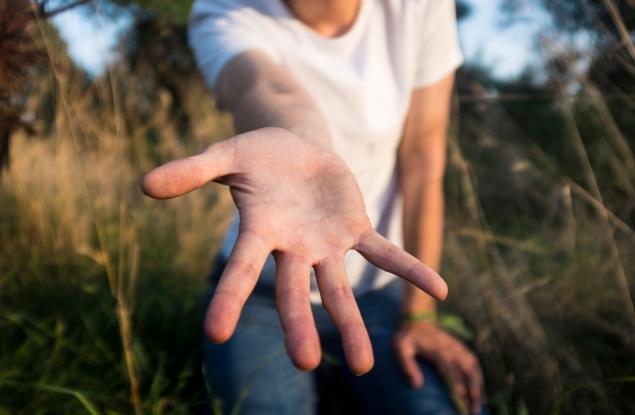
261 94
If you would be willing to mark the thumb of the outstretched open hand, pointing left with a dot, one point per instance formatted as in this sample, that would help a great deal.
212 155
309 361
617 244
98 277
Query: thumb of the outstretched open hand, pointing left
182 176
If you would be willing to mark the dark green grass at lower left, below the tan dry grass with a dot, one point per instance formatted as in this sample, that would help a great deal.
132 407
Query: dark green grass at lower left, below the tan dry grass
61 339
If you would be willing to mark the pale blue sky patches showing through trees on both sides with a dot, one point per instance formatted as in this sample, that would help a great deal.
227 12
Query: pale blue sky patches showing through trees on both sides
507 50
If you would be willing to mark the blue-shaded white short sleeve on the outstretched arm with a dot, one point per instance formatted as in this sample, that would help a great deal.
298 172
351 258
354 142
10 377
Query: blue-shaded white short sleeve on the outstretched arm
218 30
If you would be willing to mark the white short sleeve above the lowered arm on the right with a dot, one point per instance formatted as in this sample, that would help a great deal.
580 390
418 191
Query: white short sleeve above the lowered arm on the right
439 48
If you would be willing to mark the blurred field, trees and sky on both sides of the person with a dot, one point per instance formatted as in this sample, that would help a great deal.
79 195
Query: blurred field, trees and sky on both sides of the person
101 288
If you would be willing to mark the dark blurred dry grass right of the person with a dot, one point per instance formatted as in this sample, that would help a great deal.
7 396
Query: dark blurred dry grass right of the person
541 247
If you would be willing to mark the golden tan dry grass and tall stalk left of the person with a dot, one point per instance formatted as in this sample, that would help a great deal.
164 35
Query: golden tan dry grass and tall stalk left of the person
71 195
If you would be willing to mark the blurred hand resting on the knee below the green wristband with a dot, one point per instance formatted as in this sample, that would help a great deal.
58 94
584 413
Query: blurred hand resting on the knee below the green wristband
426 339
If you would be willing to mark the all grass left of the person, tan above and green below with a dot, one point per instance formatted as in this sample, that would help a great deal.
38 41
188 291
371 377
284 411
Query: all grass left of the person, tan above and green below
96 280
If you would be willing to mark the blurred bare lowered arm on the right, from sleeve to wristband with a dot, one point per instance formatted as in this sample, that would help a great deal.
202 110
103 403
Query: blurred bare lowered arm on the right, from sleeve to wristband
422 154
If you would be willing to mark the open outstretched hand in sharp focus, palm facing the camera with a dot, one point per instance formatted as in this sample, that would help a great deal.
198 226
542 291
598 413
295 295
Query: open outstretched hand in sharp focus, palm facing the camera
303 204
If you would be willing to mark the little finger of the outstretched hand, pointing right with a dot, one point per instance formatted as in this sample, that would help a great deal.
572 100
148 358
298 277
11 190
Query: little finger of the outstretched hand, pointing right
384 254
